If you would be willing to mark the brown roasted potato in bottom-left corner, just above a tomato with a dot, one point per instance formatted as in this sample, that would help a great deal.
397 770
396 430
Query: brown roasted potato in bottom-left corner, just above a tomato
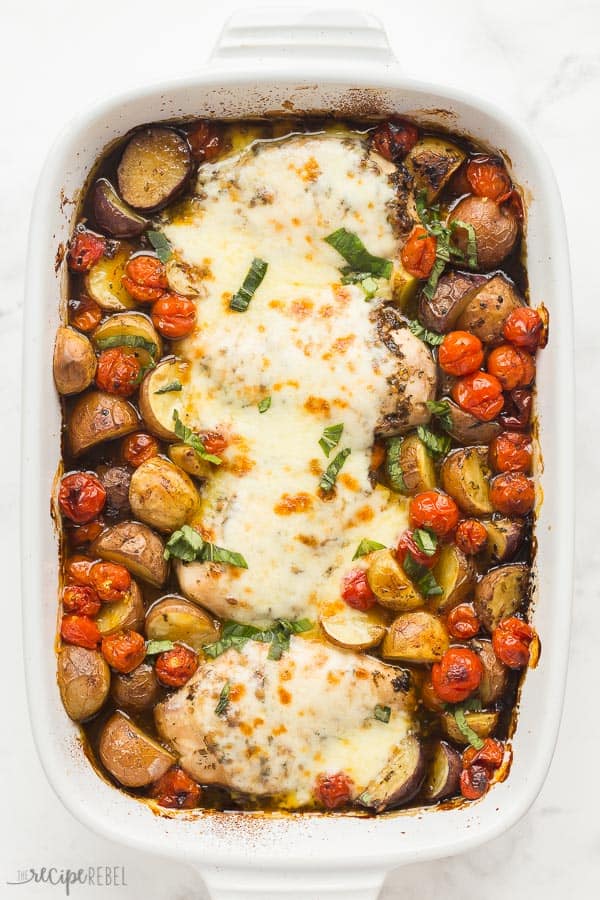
131 756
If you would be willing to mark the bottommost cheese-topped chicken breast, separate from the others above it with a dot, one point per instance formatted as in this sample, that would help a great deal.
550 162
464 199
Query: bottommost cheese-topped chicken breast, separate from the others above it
286 722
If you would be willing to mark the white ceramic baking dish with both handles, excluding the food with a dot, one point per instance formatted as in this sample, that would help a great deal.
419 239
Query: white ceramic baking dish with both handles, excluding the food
278 62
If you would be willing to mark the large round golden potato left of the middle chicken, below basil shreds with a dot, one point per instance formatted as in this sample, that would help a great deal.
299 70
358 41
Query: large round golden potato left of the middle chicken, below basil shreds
162 495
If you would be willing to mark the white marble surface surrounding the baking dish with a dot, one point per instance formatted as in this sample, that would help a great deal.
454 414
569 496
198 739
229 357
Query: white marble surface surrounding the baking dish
541 61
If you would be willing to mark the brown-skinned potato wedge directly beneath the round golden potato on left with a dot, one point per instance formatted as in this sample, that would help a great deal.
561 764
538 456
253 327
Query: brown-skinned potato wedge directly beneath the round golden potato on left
136 547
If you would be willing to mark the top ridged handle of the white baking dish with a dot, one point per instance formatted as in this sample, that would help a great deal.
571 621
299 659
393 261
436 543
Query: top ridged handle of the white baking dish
275 35
